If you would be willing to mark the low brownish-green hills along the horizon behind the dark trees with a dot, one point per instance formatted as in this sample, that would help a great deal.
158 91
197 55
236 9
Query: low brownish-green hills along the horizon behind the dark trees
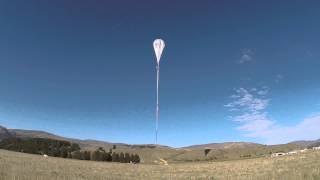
150 153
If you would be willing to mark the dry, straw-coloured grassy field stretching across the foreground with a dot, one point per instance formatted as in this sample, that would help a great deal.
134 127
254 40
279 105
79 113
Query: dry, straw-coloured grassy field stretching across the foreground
19 166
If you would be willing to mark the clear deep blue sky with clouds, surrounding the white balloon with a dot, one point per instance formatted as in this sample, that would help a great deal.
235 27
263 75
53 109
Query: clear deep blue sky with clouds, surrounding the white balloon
231 70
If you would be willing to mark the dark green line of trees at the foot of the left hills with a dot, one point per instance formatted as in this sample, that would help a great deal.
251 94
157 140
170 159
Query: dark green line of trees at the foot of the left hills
65 149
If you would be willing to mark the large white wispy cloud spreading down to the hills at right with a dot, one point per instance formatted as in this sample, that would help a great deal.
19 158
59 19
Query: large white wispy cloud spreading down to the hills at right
250 107
